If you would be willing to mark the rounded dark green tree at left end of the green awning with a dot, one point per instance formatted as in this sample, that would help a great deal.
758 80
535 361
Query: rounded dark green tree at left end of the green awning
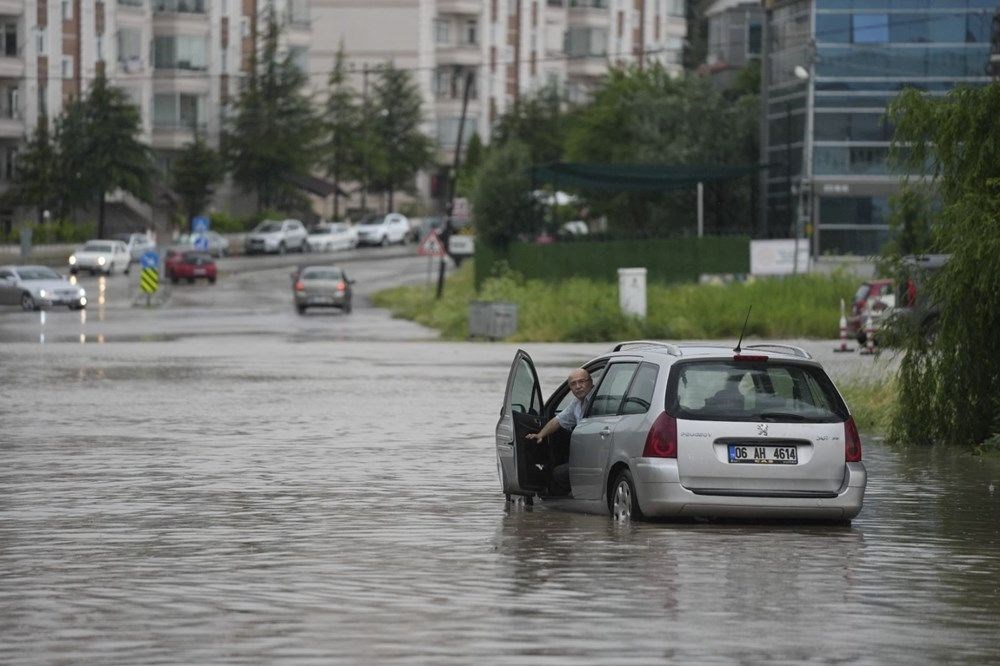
502 204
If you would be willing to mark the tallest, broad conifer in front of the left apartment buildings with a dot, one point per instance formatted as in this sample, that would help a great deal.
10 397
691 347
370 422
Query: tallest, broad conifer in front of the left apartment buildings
274 132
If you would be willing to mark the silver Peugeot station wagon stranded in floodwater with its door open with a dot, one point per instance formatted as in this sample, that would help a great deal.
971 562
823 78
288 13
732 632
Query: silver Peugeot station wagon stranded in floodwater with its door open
689 431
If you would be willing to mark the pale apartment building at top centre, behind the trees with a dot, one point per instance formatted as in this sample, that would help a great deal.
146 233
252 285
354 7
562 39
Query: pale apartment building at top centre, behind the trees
509 47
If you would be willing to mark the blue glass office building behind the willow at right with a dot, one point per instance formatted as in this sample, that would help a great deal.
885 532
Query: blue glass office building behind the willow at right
832 67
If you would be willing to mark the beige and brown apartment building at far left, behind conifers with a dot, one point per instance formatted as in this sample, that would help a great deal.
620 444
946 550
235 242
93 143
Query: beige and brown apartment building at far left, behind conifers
179 61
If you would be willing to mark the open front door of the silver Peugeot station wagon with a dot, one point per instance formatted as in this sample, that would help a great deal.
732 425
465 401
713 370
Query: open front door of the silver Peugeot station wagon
521 414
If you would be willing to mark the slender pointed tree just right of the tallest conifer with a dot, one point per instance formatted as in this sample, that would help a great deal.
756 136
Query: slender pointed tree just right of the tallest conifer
345 139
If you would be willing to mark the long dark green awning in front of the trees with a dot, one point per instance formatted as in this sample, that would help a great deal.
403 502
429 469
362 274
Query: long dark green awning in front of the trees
635 177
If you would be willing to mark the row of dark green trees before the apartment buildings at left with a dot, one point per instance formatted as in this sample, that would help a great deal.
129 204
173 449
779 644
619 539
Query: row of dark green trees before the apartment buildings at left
275 131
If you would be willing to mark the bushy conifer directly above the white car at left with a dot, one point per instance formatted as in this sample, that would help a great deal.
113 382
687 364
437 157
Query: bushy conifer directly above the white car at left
100 150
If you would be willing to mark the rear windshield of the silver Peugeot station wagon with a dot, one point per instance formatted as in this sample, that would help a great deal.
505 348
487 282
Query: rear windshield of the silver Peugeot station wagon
758 391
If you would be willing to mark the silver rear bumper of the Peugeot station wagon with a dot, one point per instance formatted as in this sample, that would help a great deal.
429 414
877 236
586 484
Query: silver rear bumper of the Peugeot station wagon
660 493
